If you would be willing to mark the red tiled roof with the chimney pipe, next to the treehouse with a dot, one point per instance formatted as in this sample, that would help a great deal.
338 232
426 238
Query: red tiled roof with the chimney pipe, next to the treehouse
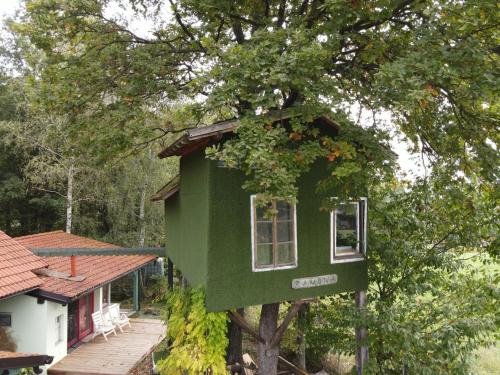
97 269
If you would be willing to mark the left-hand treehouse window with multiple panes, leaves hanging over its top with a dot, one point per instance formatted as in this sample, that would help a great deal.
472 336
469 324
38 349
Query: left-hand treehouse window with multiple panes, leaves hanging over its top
274 236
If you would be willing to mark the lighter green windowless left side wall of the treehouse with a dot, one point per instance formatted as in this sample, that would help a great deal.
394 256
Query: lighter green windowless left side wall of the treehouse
187 219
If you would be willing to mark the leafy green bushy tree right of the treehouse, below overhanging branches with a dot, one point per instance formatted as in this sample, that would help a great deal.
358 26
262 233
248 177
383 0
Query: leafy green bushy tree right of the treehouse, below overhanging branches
433 291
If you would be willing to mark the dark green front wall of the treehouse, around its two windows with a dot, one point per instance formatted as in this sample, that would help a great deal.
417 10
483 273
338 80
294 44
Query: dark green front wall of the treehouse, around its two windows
231 282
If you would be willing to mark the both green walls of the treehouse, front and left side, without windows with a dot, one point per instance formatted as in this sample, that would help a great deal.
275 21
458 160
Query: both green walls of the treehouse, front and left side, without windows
208 226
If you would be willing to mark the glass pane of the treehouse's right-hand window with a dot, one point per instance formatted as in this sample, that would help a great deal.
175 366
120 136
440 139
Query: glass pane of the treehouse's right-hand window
346 229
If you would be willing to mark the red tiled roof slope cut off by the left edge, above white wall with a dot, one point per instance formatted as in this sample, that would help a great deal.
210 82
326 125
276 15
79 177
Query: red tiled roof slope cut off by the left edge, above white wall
16 266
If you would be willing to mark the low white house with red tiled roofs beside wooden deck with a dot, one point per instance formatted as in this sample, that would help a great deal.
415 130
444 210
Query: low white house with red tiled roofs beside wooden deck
47 304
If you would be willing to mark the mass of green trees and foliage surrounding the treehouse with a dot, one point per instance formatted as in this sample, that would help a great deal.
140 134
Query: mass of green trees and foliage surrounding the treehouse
88 98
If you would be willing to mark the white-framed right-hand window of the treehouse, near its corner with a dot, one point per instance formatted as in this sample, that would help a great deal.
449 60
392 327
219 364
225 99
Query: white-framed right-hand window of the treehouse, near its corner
348 231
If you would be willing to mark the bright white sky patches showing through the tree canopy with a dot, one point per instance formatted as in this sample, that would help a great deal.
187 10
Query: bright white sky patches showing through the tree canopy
143 27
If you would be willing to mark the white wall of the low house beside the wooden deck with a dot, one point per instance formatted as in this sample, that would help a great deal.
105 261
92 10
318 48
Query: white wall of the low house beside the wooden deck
34 325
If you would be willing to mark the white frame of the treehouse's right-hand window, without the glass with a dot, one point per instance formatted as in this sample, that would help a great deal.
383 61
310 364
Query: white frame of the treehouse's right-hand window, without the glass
360 254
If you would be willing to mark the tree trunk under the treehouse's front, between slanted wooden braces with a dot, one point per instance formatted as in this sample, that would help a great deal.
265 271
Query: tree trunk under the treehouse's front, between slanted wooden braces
268 357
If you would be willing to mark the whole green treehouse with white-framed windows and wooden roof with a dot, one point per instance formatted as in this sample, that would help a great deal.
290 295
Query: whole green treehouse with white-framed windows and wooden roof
219 237
